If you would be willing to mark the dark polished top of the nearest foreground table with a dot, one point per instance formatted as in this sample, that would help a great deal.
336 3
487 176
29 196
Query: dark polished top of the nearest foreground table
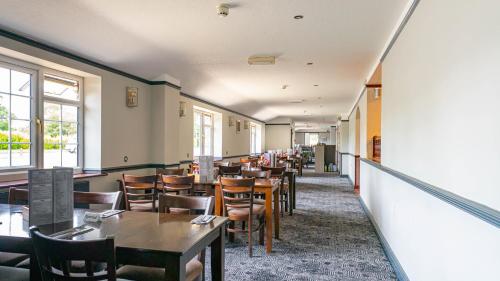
138 230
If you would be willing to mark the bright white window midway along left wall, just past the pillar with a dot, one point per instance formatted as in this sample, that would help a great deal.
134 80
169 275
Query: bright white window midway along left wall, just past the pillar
203 133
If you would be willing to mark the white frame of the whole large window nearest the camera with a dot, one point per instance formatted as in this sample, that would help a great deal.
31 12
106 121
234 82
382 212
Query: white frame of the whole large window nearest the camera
37 116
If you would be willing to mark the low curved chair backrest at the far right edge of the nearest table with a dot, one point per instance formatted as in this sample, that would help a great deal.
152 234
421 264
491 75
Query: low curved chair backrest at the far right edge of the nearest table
192 203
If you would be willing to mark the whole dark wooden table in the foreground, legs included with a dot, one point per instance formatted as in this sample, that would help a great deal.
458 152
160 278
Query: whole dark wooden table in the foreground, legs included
141 238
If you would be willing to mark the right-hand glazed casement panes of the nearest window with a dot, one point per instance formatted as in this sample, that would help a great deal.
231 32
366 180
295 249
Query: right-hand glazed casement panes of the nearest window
61 118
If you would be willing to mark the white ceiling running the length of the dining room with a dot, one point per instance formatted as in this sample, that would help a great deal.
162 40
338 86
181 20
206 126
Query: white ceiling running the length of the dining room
208 54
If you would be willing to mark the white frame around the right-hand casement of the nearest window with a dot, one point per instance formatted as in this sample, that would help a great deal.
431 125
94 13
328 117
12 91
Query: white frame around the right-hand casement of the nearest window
62 101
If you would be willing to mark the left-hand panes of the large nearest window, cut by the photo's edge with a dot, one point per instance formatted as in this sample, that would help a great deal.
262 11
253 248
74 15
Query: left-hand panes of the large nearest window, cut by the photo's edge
16 116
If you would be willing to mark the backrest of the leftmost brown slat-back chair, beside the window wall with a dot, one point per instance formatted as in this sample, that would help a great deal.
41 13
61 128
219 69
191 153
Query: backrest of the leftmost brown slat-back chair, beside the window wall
138 189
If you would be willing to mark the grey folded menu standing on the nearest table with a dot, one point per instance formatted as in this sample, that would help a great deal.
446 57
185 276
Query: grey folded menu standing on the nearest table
50 195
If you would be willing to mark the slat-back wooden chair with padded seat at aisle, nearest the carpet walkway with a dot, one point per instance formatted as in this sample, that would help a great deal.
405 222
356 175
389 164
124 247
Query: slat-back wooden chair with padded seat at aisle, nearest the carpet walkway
238 206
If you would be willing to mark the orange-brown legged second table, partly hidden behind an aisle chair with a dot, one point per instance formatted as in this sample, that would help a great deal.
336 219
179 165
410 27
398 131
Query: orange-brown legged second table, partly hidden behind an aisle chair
270 188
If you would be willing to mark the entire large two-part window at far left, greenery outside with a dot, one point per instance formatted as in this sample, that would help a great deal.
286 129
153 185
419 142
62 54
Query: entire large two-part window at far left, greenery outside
51 117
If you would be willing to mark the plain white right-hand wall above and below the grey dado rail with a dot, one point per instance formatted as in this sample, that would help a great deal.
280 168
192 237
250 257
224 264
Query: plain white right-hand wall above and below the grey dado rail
439 120
